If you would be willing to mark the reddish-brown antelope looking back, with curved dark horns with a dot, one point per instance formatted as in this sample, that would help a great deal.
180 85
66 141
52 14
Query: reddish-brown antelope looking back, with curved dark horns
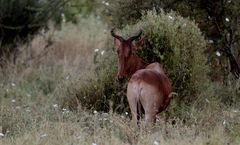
149 90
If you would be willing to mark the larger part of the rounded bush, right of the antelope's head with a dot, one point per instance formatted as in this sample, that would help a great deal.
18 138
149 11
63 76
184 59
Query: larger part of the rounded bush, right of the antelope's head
178 44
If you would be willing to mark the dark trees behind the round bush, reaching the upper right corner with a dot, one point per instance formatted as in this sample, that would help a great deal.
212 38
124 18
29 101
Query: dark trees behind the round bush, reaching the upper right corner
218 20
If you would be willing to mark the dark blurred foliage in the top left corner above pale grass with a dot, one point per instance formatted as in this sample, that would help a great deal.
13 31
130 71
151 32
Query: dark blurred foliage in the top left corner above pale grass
20 20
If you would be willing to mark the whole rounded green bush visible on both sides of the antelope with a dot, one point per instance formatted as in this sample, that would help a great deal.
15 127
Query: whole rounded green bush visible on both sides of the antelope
169 39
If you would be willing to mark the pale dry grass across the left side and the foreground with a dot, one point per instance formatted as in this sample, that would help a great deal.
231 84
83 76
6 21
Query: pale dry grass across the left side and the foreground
31 113
